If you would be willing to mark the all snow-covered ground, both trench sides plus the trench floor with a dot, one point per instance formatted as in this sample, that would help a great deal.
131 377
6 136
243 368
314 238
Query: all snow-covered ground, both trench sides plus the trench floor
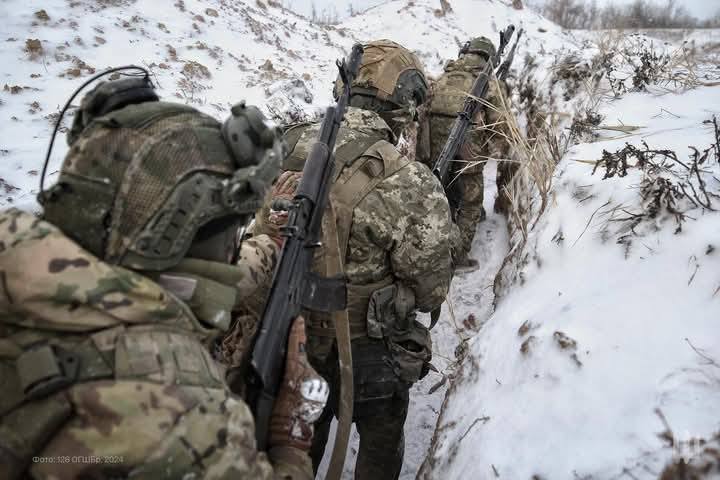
563 380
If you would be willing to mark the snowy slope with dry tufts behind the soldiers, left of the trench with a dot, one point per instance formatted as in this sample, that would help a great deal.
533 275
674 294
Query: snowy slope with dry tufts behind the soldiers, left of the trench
209 53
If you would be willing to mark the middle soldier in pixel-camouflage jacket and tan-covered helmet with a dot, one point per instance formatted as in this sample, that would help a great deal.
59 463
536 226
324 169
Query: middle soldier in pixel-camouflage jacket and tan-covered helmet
392 224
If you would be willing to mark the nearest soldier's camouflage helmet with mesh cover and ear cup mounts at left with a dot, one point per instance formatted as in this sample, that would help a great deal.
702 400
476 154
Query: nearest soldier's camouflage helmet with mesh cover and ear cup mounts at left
140 182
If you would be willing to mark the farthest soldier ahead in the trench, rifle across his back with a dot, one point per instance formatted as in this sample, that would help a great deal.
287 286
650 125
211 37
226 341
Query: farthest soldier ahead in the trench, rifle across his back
486 141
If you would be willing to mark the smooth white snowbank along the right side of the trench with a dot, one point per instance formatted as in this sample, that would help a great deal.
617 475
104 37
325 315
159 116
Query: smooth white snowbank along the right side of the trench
643 321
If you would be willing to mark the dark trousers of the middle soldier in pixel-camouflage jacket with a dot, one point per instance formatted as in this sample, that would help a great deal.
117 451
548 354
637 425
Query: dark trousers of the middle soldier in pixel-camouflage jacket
380 421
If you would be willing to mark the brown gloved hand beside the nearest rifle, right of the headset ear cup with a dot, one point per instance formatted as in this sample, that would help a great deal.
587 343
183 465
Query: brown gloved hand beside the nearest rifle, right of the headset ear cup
274 214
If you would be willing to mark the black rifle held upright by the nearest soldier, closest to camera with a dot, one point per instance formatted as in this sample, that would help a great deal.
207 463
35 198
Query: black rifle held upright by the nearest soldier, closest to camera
294 286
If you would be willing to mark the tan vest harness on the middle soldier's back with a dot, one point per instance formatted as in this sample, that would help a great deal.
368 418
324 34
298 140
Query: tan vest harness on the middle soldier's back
362 161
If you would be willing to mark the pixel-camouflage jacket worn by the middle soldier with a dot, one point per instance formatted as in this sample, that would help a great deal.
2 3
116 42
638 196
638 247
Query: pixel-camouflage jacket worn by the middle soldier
401 228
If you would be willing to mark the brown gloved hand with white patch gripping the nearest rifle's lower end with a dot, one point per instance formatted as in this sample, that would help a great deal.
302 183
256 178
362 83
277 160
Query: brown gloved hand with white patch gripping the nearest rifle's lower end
302 396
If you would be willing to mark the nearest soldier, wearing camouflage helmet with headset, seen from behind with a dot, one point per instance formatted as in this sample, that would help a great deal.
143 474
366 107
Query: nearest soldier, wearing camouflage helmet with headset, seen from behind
109 302
